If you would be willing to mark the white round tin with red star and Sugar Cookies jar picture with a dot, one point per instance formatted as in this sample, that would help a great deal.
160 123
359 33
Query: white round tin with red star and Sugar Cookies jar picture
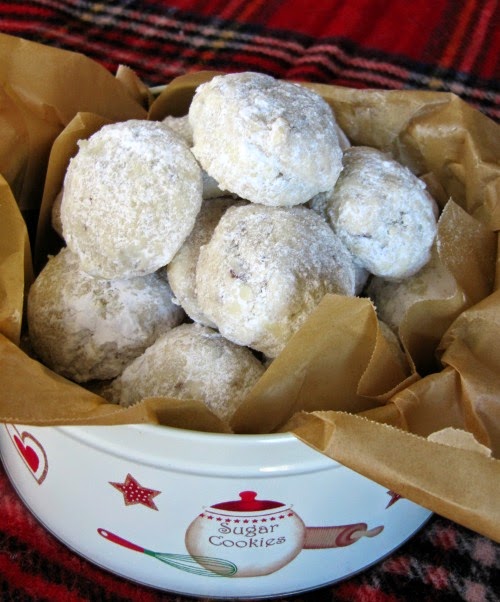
204 514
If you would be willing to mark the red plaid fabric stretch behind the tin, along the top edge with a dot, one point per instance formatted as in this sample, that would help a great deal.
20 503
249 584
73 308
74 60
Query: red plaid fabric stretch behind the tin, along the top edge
451 45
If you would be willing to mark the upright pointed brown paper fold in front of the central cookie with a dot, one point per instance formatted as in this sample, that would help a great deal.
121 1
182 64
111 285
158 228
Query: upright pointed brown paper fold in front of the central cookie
337 360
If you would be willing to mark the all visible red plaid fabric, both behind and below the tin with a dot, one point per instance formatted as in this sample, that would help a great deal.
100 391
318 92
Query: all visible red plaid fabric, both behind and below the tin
450 45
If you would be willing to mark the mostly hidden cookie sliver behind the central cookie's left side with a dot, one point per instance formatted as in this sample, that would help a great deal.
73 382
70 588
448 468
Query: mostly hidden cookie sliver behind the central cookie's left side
182 269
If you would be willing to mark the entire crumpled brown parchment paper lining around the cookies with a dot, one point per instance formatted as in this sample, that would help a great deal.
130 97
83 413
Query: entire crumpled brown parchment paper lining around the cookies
337 385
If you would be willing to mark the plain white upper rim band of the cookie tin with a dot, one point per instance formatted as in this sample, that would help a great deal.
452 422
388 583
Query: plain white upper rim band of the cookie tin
194 452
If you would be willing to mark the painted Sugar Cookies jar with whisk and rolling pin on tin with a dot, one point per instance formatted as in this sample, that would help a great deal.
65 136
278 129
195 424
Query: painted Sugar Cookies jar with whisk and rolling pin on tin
249 537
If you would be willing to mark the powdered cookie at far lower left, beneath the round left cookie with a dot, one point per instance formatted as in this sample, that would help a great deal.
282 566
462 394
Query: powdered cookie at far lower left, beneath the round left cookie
89 328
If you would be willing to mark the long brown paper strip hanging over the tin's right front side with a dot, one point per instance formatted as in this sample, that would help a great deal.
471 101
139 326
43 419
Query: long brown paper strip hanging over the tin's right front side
458 483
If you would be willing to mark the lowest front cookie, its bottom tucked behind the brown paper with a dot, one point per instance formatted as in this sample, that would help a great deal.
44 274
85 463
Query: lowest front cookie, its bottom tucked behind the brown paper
192 362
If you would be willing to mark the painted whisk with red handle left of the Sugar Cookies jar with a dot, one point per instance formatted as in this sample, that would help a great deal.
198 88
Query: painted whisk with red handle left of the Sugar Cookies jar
212 567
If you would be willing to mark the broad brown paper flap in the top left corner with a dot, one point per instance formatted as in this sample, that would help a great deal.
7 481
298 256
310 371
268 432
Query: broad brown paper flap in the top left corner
41 89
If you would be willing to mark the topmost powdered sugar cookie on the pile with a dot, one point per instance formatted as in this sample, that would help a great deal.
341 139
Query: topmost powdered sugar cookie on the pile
267 141
